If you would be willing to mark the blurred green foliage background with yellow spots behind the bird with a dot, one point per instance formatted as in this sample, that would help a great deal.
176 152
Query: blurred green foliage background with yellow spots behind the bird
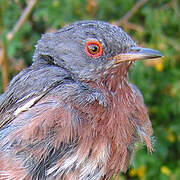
154 24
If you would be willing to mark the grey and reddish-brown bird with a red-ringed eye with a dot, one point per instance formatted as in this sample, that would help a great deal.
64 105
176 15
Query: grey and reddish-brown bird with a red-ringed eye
73 114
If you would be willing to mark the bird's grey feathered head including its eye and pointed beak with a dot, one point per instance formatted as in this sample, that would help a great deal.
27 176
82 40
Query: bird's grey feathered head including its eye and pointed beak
91 49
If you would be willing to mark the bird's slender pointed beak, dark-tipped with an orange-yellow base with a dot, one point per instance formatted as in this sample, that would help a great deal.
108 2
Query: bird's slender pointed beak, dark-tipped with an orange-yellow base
137 53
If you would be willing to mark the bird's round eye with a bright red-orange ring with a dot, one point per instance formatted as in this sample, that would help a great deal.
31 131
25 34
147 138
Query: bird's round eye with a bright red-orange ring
94 49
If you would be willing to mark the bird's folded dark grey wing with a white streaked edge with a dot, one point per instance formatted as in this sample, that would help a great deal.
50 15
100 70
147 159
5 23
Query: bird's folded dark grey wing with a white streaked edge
27 88
